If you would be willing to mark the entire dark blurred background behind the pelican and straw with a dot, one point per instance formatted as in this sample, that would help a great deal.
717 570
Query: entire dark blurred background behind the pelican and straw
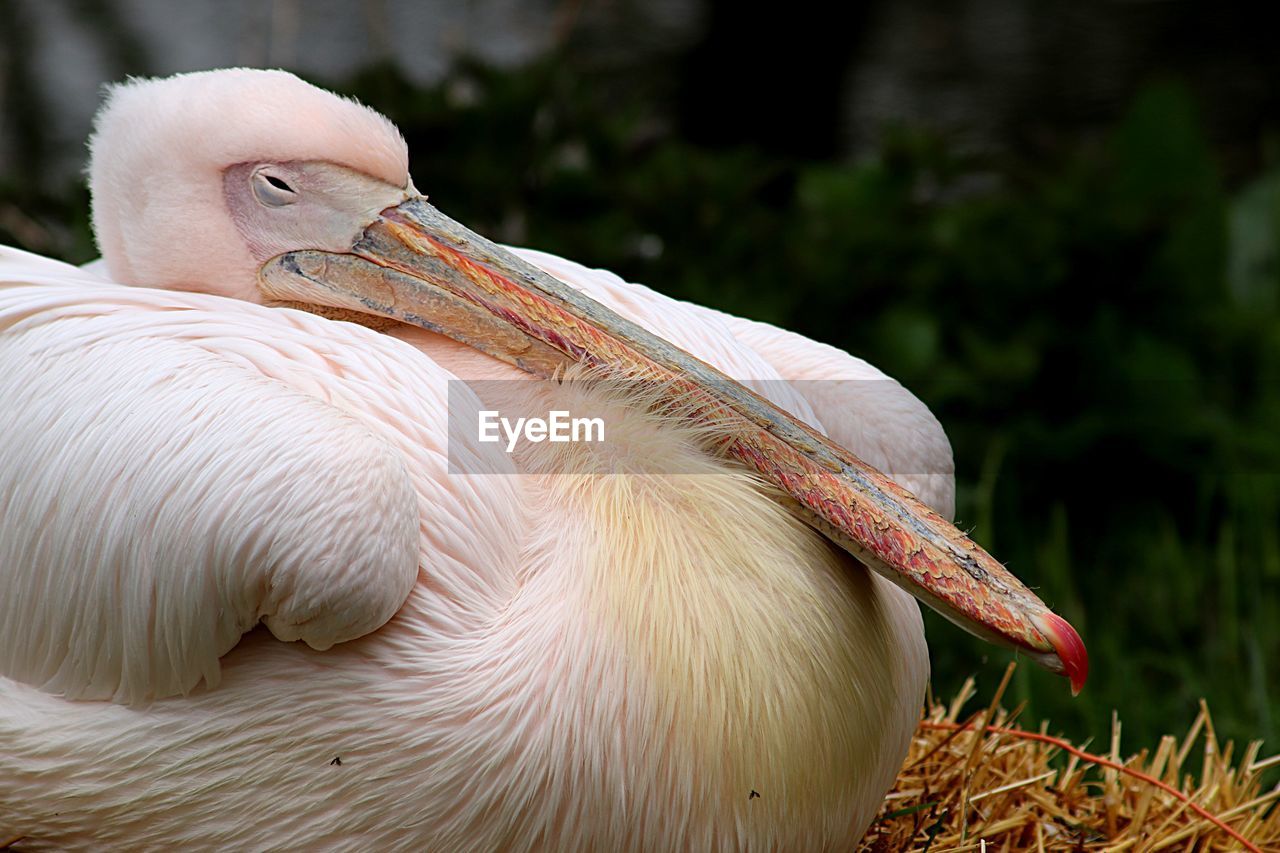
1058 223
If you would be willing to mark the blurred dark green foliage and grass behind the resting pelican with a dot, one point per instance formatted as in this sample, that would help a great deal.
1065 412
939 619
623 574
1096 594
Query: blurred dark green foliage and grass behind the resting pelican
1099 332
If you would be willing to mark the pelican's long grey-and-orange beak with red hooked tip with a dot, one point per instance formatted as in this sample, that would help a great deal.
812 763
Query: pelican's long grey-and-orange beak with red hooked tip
417 266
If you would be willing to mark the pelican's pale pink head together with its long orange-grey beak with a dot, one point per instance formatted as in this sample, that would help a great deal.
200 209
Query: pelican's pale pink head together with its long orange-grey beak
296 195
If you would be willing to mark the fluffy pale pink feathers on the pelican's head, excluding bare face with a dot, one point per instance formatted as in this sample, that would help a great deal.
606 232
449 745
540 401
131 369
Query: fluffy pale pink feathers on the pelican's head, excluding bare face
159 150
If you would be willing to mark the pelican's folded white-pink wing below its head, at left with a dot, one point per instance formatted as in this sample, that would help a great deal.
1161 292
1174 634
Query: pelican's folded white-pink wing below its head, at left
159 499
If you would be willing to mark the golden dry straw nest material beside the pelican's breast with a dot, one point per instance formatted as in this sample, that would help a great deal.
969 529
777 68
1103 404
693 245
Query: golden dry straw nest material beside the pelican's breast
986 784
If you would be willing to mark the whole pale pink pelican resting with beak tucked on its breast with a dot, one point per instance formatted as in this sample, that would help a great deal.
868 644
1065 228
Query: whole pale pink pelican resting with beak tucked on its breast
259 590
